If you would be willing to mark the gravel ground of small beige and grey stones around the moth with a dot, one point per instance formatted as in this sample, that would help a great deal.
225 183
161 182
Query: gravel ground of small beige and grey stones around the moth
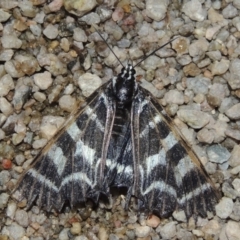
51 58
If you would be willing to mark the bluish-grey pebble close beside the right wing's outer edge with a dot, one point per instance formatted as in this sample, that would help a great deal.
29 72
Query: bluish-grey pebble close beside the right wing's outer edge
218 154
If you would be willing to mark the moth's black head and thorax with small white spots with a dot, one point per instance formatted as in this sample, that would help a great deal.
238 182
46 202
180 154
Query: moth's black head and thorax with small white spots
124 85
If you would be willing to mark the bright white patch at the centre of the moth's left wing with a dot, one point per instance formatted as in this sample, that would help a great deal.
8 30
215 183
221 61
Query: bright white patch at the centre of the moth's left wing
86 152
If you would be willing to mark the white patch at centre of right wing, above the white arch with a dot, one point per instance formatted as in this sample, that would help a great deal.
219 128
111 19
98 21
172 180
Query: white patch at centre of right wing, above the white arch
155 160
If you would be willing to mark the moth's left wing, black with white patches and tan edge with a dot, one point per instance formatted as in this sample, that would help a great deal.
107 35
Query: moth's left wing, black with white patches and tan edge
71 167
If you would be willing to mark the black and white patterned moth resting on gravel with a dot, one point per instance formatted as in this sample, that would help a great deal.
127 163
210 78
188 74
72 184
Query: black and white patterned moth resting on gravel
122 137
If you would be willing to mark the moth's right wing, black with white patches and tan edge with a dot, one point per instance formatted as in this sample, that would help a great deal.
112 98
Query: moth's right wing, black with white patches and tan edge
167 174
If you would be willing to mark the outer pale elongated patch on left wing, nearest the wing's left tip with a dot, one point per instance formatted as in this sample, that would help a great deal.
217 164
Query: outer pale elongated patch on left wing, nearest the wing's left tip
56 155
